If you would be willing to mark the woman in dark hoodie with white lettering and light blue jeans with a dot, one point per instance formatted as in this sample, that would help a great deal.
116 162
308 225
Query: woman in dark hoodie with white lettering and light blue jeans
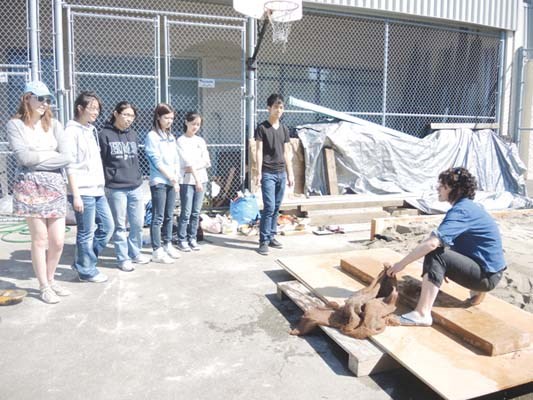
120 156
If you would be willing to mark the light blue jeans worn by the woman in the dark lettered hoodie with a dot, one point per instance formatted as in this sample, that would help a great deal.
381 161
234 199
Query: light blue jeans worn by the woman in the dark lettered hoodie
127 202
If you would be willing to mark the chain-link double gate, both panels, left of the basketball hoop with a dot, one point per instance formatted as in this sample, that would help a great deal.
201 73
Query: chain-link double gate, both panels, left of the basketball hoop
195 62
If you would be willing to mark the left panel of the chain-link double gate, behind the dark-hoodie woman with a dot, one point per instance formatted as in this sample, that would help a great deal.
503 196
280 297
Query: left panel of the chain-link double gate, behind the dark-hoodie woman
118 57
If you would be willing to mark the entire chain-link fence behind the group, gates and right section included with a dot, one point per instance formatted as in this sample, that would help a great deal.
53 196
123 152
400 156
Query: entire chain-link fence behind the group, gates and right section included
191 54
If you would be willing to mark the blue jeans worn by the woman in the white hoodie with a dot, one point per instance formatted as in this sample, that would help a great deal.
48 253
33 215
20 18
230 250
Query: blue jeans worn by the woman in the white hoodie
94 230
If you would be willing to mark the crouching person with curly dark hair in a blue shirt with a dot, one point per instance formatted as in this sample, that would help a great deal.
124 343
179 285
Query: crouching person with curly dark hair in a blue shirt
466 248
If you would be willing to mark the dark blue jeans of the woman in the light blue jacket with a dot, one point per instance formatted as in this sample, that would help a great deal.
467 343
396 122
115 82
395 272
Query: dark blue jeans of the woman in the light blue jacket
163 204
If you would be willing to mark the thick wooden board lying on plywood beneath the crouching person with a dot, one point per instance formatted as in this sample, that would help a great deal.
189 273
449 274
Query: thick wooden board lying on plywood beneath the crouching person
494 336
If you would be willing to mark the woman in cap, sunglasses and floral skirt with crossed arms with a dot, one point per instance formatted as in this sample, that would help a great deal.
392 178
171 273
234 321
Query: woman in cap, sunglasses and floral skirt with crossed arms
39 193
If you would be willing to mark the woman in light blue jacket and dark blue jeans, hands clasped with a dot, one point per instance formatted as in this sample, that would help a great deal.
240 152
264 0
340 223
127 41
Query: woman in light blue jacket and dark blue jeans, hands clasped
162 152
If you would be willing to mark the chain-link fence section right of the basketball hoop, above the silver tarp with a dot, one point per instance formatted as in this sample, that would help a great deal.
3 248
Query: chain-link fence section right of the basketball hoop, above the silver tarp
403 76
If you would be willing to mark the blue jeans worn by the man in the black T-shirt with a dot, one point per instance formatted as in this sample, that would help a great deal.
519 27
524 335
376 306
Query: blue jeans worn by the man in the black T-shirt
272 189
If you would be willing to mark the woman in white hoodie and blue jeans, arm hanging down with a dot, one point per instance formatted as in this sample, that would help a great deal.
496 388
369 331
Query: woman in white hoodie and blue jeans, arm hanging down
86 189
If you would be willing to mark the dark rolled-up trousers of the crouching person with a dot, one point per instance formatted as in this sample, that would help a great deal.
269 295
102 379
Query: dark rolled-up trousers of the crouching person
461 269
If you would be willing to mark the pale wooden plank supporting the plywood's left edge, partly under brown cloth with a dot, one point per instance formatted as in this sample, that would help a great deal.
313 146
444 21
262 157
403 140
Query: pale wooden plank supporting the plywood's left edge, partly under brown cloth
364 357
